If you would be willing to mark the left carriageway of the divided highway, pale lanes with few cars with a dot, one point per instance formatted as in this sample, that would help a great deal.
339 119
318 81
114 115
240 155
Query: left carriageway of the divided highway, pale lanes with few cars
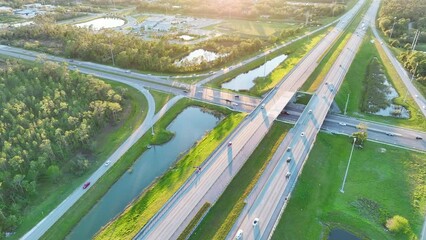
219 169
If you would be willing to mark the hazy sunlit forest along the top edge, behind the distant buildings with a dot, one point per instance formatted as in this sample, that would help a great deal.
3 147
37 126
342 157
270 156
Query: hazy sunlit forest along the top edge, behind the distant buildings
244 8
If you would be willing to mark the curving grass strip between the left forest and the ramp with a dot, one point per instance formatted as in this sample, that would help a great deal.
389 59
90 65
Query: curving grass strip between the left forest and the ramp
105 143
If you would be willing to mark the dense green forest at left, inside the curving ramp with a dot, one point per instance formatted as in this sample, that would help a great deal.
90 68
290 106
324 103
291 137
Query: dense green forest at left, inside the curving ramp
47 117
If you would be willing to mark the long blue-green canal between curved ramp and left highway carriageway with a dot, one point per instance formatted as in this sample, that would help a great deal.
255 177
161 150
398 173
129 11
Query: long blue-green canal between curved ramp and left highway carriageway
189 126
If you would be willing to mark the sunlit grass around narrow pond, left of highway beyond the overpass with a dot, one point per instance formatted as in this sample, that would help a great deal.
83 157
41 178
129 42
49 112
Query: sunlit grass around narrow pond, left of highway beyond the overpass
295 51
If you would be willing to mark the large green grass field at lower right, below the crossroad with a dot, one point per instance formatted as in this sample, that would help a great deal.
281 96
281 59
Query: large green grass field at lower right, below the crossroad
393 180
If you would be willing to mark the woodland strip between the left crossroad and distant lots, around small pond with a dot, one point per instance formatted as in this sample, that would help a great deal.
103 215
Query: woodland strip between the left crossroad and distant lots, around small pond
130 51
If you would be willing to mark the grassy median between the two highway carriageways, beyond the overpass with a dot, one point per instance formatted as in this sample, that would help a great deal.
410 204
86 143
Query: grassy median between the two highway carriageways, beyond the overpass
317 77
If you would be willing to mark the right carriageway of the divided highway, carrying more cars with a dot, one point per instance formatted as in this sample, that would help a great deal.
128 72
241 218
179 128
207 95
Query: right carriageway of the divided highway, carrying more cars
268 198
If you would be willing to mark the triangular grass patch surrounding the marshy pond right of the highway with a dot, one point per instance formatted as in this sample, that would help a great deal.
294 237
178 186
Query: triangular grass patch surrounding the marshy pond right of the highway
354 85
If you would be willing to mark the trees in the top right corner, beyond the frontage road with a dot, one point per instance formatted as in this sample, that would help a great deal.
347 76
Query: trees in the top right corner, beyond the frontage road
401 20
